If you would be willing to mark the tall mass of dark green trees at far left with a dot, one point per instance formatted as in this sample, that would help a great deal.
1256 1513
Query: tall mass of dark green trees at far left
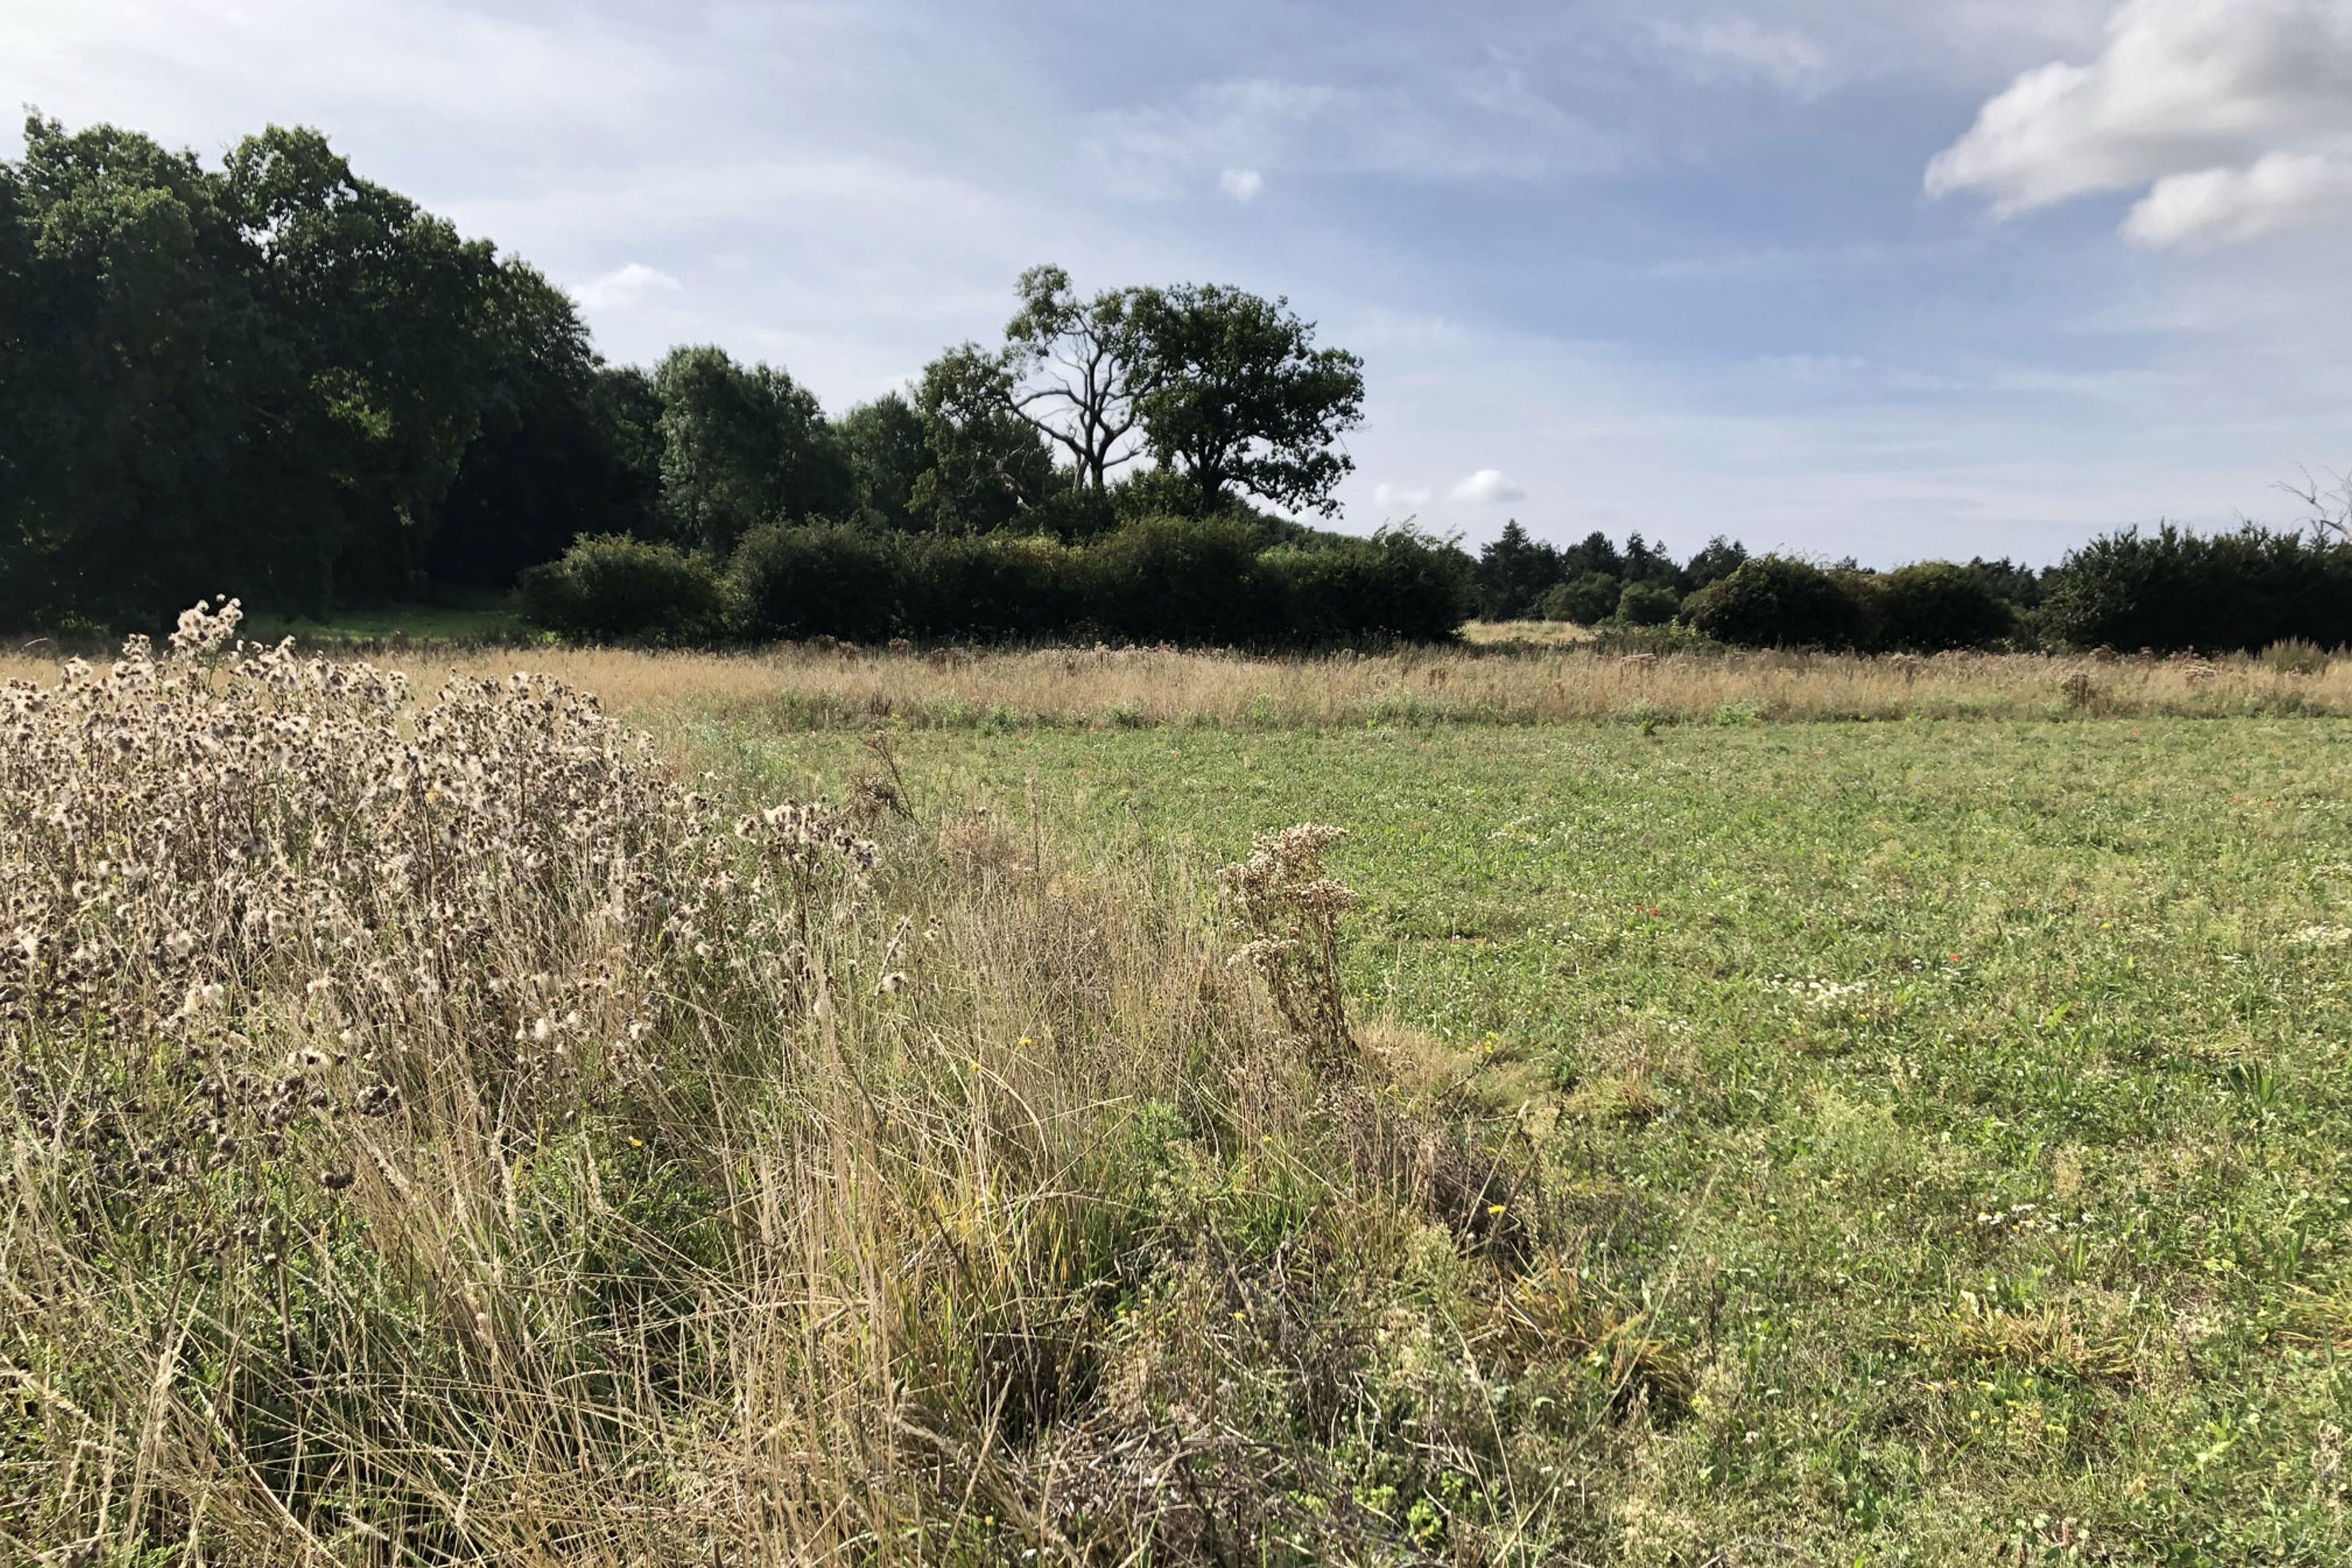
260 377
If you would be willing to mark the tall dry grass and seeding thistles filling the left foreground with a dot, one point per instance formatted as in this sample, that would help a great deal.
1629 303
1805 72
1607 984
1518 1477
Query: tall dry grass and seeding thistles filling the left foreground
439 1134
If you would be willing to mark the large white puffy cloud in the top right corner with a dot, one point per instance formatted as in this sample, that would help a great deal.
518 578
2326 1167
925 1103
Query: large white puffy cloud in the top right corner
2233 114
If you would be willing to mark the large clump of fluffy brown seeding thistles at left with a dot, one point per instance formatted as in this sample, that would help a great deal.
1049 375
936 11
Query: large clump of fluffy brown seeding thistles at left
267 866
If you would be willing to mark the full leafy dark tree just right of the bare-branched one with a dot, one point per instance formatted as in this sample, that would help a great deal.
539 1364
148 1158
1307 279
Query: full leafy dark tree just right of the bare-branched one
1236 396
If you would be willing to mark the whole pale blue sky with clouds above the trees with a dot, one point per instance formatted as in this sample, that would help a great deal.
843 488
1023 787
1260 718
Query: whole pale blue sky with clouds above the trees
1857 279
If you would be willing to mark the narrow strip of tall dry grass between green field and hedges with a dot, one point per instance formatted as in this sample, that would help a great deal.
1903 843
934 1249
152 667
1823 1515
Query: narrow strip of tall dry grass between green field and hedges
1102 688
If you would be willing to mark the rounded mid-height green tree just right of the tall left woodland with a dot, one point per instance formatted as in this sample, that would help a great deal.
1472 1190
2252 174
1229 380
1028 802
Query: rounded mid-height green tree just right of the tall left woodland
742 448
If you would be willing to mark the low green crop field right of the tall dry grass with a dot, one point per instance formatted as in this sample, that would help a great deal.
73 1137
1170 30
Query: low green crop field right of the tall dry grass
1965 1104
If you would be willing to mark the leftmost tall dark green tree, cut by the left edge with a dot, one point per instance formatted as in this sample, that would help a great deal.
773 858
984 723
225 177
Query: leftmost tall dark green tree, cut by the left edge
135 467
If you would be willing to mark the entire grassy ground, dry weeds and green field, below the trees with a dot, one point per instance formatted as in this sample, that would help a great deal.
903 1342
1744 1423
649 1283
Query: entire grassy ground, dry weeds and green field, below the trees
1906 1141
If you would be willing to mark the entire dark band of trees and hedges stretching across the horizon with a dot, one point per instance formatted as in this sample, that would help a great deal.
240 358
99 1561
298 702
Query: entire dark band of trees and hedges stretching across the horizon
283 382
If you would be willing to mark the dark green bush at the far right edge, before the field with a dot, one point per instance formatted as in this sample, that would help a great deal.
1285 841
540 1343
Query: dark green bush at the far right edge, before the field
2174 591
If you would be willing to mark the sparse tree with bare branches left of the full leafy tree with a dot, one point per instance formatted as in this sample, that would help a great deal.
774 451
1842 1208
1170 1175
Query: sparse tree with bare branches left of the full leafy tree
1071 373
